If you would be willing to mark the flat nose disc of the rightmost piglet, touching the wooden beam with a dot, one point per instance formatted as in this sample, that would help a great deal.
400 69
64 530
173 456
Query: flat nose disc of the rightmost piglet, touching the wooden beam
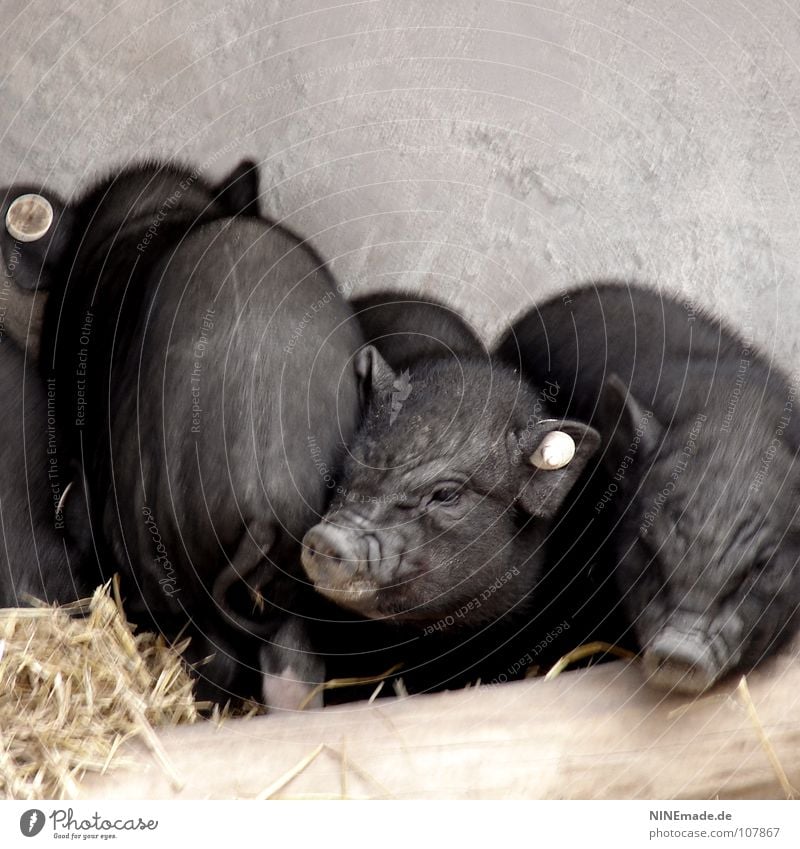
680 665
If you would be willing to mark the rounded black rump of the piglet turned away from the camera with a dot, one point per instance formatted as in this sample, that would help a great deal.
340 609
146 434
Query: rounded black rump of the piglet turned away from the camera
241 385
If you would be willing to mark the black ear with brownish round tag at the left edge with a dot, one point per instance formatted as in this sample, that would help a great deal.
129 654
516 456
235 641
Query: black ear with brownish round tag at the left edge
34 235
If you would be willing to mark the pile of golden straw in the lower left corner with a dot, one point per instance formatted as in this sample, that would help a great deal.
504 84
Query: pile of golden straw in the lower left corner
75 684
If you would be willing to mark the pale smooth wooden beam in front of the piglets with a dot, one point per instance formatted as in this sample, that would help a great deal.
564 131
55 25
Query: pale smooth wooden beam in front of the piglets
591 734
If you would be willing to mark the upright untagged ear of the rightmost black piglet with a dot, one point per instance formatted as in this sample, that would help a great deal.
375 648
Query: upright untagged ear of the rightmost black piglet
625 424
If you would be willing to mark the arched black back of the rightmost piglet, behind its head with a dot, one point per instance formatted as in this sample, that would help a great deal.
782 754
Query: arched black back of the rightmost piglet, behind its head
675 359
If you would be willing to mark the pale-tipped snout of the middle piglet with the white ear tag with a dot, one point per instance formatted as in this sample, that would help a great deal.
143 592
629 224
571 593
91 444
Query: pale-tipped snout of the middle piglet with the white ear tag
337 561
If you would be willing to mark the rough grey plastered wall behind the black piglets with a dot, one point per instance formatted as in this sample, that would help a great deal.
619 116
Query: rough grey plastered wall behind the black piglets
489 151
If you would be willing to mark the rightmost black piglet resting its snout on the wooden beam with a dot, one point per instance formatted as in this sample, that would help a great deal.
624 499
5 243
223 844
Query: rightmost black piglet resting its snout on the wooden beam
694 506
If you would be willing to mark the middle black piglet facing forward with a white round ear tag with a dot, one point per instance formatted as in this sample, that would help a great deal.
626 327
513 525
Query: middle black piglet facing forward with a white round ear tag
441 517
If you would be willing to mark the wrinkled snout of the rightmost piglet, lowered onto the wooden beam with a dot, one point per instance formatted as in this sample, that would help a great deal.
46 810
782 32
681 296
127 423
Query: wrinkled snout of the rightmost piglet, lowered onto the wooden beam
684 657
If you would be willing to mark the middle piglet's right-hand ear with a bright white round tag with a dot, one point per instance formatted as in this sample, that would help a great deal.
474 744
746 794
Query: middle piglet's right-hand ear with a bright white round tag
551 456
